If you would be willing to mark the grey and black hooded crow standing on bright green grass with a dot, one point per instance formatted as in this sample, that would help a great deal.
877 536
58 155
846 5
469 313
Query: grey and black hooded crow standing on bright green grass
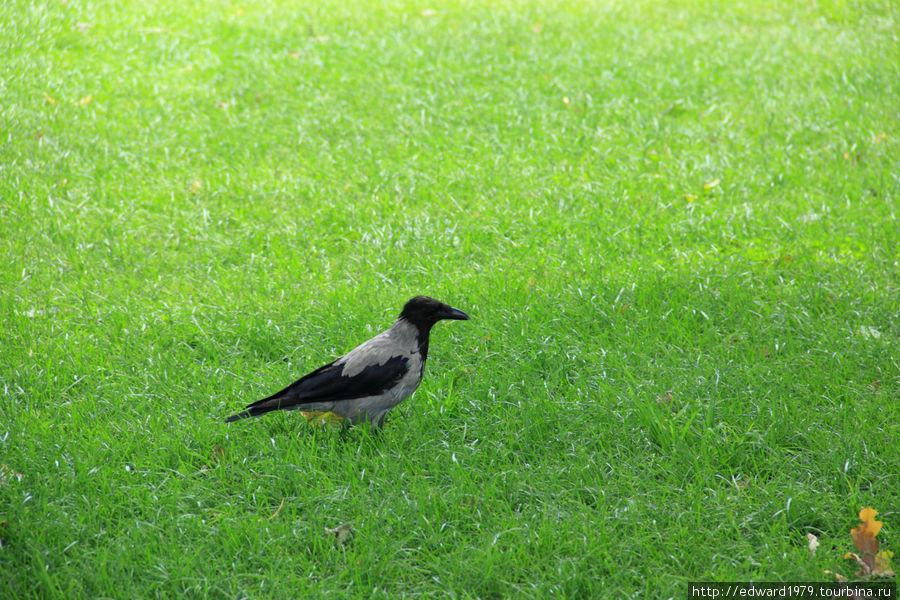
371 379
